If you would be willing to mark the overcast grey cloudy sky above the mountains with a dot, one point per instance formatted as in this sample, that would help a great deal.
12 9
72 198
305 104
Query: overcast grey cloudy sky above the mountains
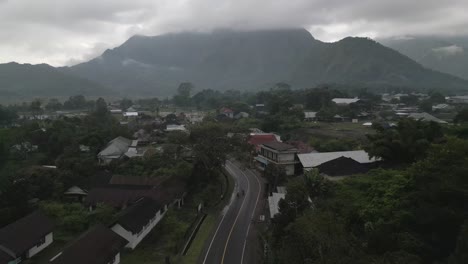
64 32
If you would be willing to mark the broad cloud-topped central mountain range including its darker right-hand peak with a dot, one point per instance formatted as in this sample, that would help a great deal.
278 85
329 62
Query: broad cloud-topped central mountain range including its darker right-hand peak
249 60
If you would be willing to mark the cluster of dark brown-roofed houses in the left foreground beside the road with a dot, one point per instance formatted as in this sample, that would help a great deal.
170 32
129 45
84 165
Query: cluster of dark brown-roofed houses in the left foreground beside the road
142 202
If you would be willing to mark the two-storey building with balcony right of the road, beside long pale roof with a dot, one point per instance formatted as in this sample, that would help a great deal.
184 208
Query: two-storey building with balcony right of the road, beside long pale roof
278 153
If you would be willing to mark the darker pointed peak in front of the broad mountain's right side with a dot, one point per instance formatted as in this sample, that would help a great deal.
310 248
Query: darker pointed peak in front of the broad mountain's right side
364 62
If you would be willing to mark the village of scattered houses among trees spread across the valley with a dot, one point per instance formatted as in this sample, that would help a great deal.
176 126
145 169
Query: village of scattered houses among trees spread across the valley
106 199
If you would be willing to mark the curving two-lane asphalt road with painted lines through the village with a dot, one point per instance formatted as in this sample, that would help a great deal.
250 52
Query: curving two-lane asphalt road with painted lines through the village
233 241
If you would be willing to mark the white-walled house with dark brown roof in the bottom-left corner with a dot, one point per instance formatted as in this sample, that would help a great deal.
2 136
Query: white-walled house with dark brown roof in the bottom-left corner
25 238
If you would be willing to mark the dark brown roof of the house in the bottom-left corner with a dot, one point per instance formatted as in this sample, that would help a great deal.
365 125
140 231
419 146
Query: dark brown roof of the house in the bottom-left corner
25 233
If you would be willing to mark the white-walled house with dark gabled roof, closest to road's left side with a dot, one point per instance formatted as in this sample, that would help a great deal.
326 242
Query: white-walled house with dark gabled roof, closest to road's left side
138 220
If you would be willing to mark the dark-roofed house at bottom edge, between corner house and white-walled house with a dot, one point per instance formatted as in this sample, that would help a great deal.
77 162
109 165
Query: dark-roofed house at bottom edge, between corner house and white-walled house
98 245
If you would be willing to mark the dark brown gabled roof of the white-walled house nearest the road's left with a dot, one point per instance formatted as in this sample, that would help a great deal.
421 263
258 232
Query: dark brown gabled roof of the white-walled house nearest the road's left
135 217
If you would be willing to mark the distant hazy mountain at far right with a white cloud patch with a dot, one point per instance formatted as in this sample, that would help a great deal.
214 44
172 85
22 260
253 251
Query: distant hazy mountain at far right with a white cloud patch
445 54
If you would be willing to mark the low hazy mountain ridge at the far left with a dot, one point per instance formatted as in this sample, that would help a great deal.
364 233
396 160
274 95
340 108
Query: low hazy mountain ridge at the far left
43 80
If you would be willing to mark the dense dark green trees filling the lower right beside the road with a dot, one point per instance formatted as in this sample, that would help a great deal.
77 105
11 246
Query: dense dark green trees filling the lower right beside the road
413 215
